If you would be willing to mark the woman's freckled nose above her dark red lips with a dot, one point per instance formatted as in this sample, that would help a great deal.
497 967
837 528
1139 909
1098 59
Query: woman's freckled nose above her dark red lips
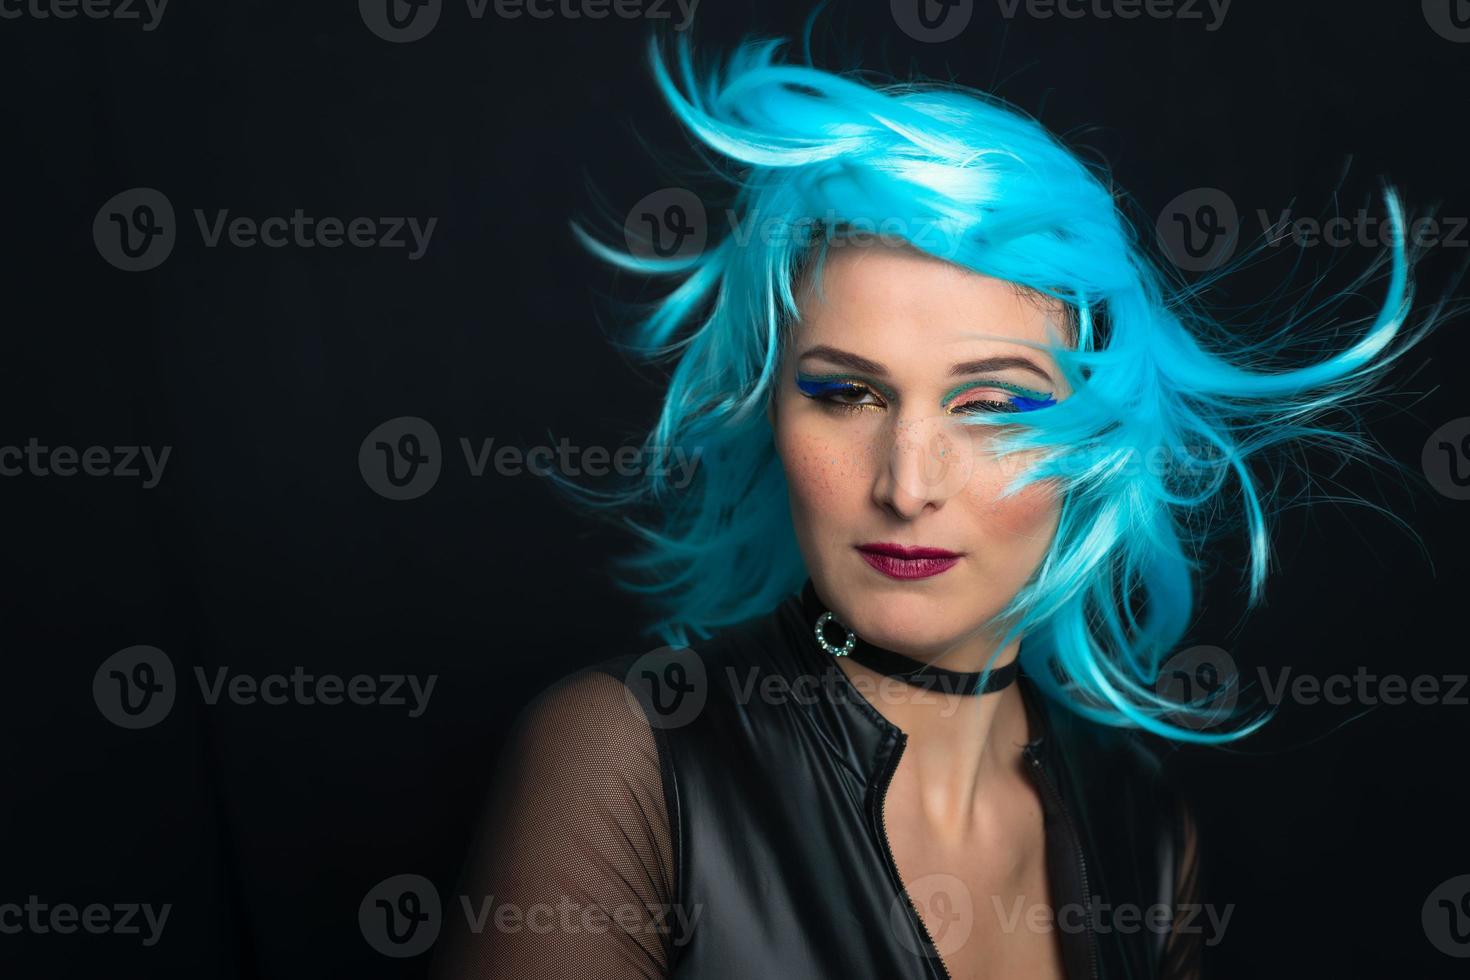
922 464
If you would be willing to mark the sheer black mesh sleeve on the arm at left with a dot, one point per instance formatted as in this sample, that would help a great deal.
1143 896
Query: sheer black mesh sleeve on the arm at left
573 876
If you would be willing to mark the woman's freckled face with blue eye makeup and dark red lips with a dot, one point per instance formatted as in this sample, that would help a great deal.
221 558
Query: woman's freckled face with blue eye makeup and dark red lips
896 503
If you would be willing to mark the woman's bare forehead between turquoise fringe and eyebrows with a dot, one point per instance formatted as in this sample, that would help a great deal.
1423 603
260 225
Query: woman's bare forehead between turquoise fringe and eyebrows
900 302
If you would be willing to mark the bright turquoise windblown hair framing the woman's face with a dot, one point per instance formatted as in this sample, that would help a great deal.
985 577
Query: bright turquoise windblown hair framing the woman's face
975 183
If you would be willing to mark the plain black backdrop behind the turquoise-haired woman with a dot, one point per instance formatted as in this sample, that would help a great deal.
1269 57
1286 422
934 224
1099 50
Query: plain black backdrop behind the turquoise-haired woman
264 549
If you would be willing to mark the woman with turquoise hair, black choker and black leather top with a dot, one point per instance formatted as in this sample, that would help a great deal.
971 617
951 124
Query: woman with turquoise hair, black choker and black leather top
961 449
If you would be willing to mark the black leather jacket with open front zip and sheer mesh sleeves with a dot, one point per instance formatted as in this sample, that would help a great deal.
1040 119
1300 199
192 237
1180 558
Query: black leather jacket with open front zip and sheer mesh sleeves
753 824
